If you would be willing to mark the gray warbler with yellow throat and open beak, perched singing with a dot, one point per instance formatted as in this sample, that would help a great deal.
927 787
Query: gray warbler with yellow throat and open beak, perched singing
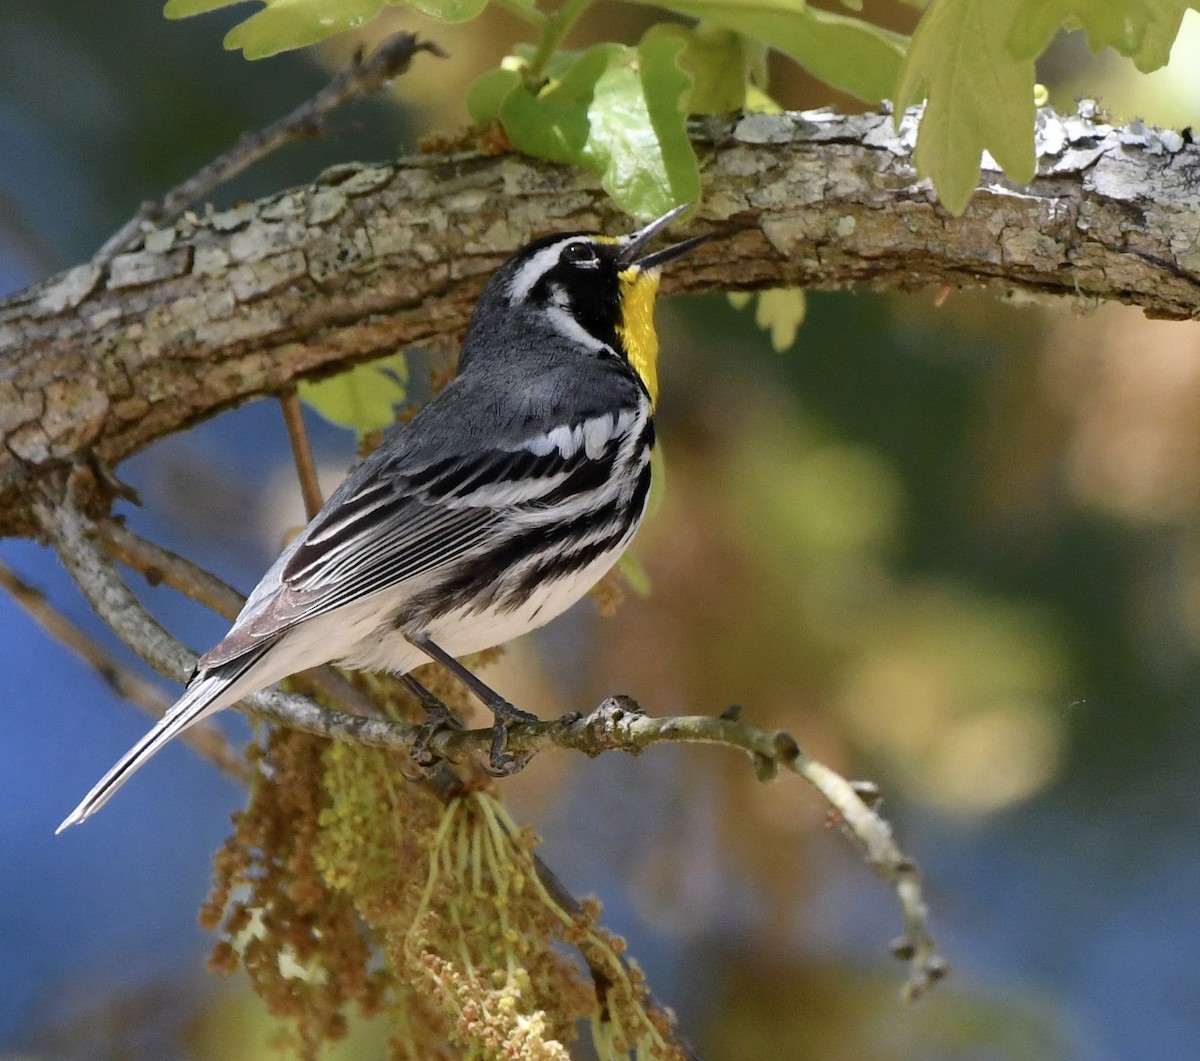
491 512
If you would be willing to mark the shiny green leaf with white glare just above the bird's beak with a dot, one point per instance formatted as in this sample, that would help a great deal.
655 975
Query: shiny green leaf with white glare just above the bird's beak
638 141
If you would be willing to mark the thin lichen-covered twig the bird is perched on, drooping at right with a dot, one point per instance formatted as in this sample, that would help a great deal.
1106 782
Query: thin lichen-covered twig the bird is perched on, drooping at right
617 724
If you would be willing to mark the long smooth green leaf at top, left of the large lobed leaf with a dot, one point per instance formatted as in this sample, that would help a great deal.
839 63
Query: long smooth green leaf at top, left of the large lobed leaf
844 52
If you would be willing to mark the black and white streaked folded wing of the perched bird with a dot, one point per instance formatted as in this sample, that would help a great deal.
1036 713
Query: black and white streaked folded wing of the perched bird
398 520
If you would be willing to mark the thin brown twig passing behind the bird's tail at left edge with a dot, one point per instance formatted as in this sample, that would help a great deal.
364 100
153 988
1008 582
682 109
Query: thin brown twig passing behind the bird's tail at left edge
206 739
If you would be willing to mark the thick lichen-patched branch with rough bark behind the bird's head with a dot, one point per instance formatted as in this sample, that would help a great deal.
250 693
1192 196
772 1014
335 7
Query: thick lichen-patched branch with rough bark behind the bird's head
218 309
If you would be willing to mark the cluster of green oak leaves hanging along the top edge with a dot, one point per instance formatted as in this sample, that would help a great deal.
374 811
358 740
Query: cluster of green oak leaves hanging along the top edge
621 110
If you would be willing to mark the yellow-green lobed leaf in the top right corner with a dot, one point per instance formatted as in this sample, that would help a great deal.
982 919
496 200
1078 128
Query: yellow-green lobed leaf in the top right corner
1143 31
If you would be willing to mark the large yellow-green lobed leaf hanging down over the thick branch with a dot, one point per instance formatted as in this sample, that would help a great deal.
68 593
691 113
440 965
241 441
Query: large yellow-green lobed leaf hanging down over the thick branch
981 98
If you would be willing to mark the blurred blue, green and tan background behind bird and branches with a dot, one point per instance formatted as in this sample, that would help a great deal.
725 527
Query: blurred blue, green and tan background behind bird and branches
952 544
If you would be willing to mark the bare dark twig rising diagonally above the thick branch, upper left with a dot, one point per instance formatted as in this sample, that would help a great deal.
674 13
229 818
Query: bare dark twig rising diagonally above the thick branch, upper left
391 59
